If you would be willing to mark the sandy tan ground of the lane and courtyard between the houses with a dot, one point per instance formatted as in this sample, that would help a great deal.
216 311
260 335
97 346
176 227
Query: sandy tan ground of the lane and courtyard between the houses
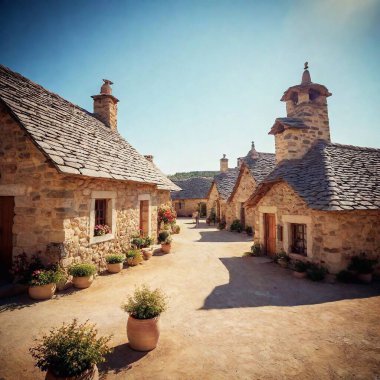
229 318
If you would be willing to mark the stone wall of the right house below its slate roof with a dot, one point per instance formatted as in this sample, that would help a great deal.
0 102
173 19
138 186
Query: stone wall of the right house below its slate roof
333 236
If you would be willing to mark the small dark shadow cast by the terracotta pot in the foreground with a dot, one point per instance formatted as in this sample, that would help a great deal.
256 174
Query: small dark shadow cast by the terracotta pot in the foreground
121 358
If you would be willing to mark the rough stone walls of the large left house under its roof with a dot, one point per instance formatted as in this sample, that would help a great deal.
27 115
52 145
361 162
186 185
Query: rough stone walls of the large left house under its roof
55 208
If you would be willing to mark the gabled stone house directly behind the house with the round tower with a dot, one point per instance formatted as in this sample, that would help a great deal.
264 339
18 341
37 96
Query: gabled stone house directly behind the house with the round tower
253 168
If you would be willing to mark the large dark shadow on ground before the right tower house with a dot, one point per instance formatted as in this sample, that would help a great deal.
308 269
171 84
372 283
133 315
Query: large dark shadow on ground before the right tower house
259 282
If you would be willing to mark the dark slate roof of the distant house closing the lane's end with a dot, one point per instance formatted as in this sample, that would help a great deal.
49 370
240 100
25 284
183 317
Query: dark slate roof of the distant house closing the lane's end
192 188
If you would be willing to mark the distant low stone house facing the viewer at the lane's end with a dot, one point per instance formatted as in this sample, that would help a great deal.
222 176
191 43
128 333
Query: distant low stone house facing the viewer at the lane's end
192 197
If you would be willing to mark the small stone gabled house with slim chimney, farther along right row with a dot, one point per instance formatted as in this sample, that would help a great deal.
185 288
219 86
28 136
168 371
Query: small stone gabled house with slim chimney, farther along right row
221 189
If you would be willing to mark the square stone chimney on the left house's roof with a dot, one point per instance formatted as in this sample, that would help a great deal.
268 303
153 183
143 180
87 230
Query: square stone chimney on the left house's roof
105 105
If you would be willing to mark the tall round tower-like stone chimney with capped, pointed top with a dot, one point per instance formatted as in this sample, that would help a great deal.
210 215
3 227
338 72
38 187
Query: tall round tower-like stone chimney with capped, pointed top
307 119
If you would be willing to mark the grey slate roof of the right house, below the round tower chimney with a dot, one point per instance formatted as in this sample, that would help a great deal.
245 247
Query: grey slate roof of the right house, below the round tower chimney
330 177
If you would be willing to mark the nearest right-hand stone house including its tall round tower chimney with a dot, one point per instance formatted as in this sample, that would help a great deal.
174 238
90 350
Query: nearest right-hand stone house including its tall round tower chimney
322 201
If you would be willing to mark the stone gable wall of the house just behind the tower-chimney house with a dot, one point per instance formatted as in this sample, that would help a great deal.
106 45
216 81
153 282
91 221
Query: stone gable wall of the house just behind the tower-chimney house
246 187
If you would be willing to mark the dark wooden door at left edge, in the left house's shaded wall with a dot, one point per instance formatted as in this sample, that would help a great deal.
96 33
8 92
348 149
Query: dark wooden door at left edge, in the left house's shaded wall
7 205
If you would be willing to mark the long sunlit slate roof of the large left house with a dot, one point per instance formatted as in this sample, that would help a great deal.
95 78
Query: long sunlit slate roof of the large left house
72 138
